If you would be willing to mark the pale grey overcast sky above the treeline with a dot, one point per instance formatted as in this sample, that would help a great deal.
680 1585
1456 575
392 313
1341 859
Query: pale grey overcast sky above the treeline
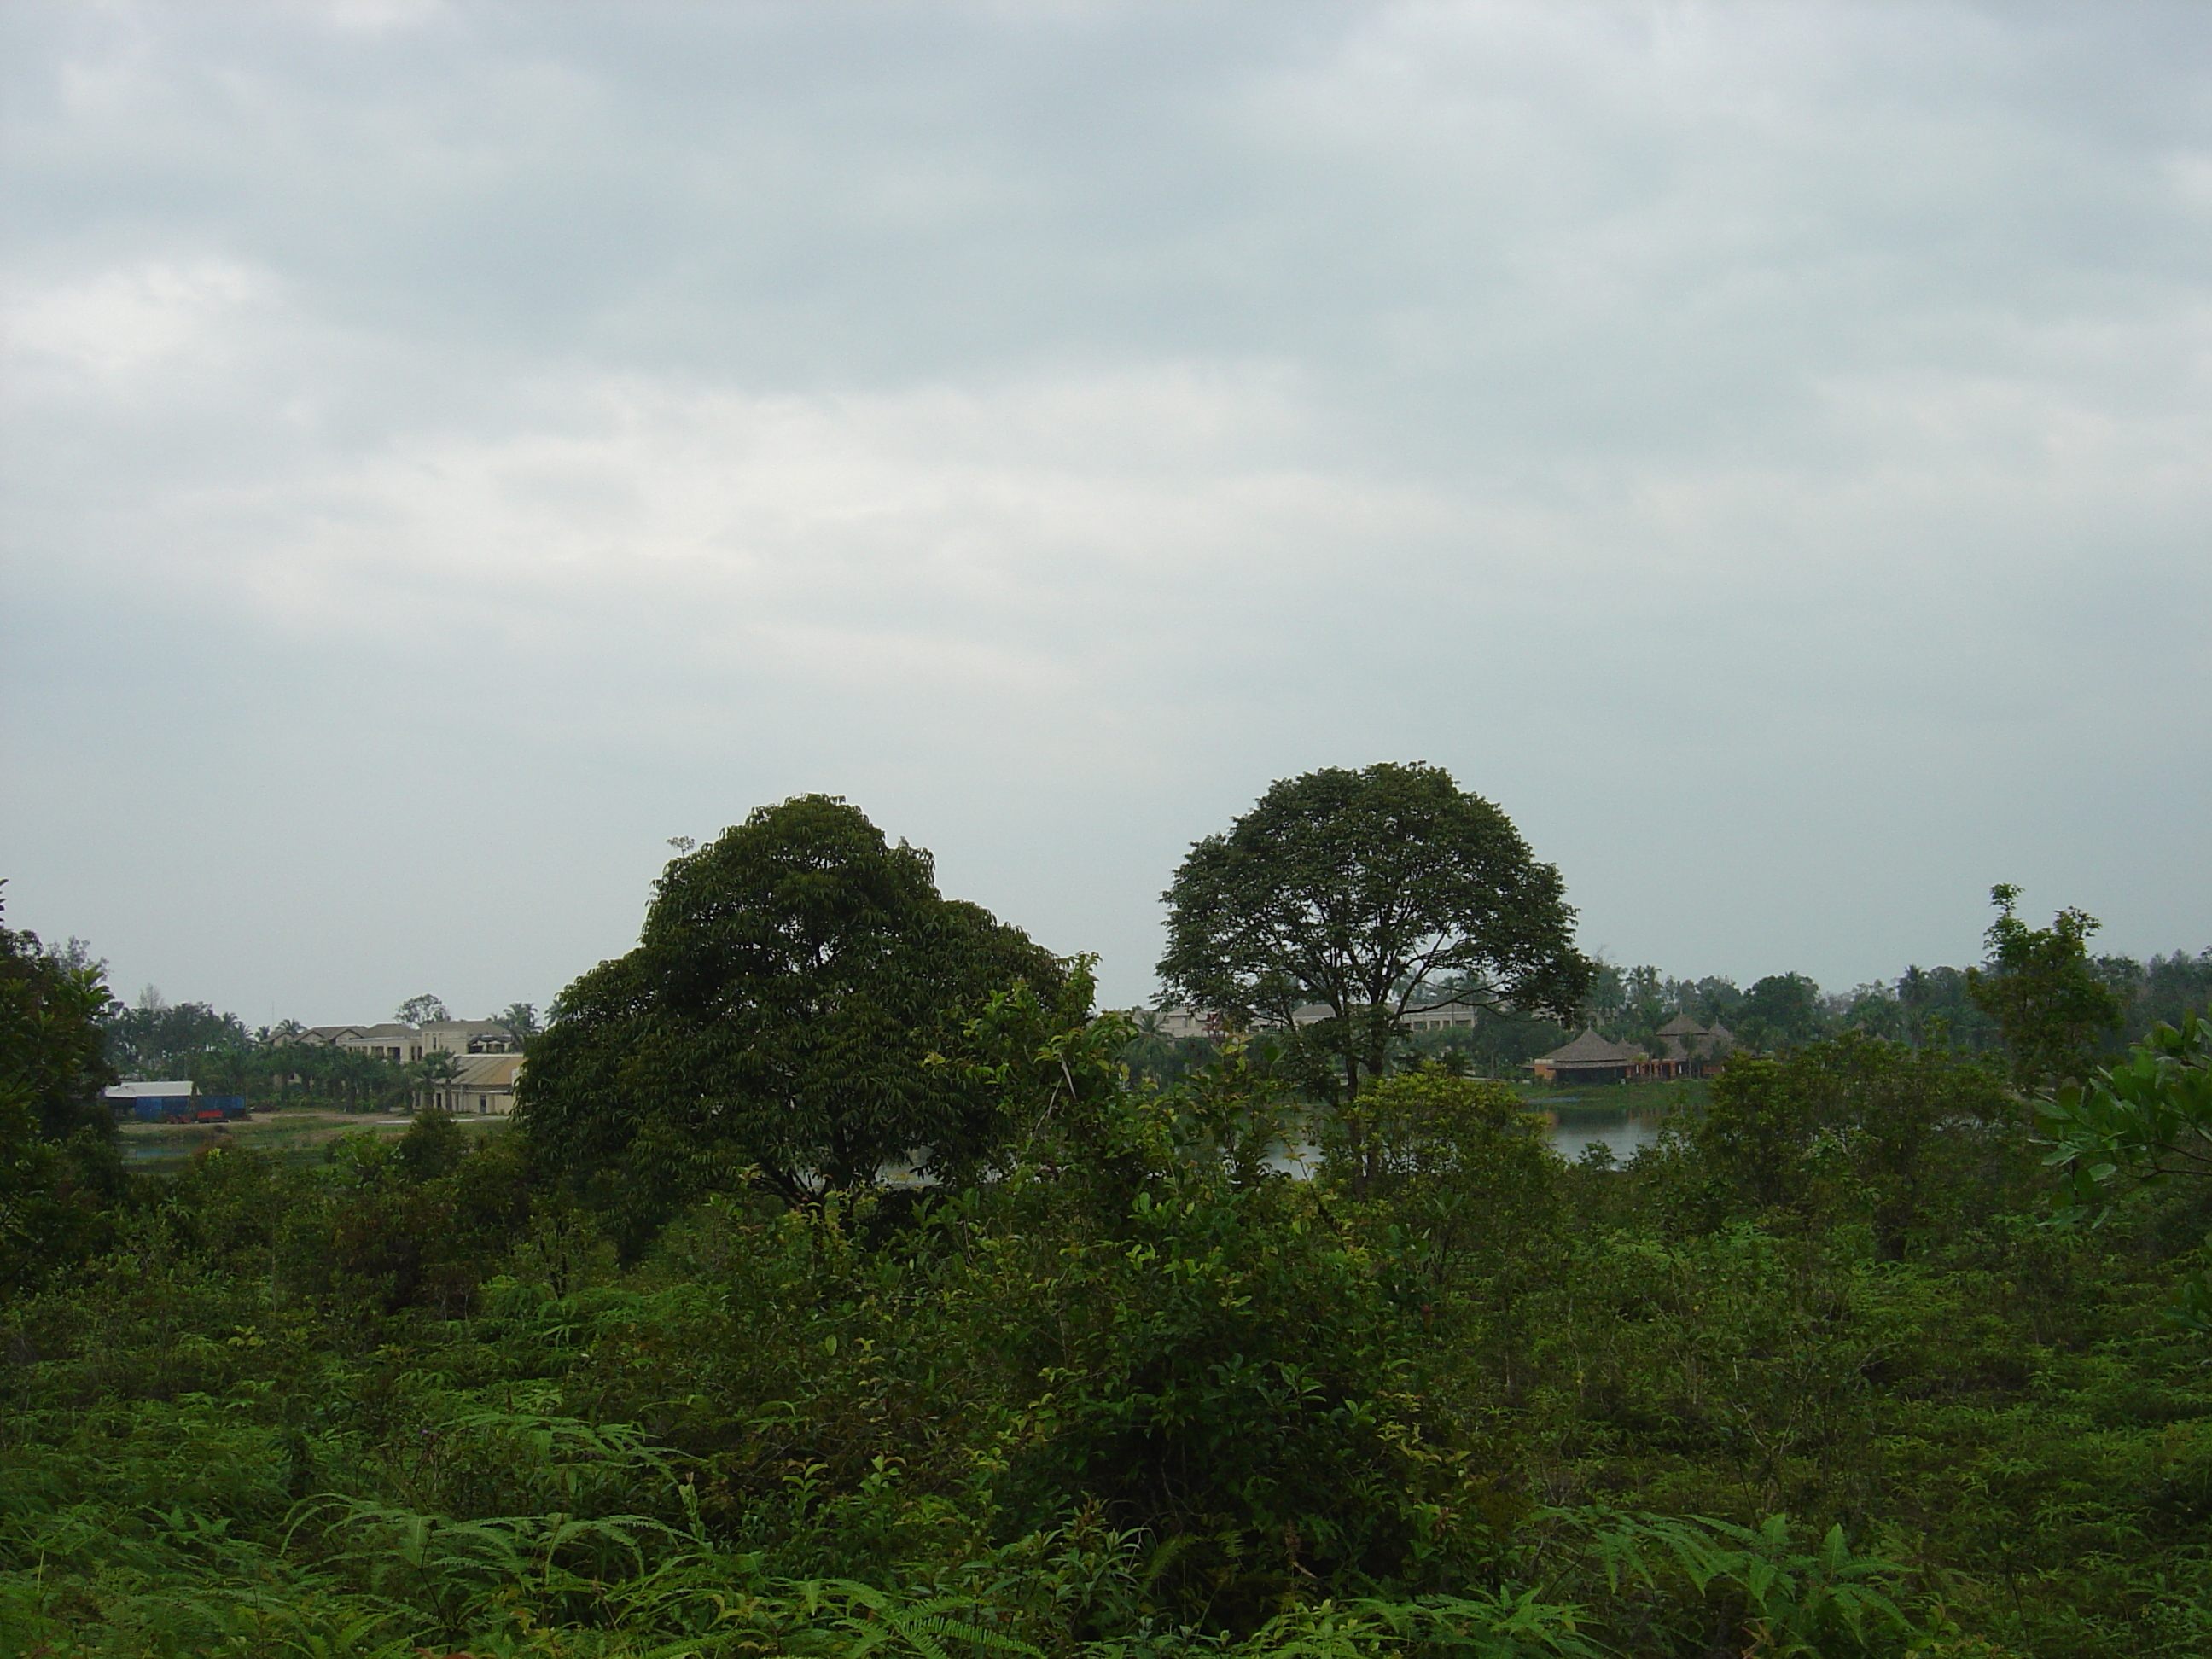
455 448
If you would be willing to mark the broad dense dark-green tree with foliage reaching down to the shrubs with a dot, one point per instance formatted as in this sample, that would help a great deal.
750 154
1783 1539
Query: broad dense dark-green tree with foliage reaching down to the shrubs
778 1016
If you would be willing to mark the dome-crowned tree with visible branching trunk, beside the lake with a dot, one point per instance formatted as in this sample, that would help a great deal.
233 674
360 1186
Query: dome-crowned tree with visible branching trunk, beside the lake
1368 893
